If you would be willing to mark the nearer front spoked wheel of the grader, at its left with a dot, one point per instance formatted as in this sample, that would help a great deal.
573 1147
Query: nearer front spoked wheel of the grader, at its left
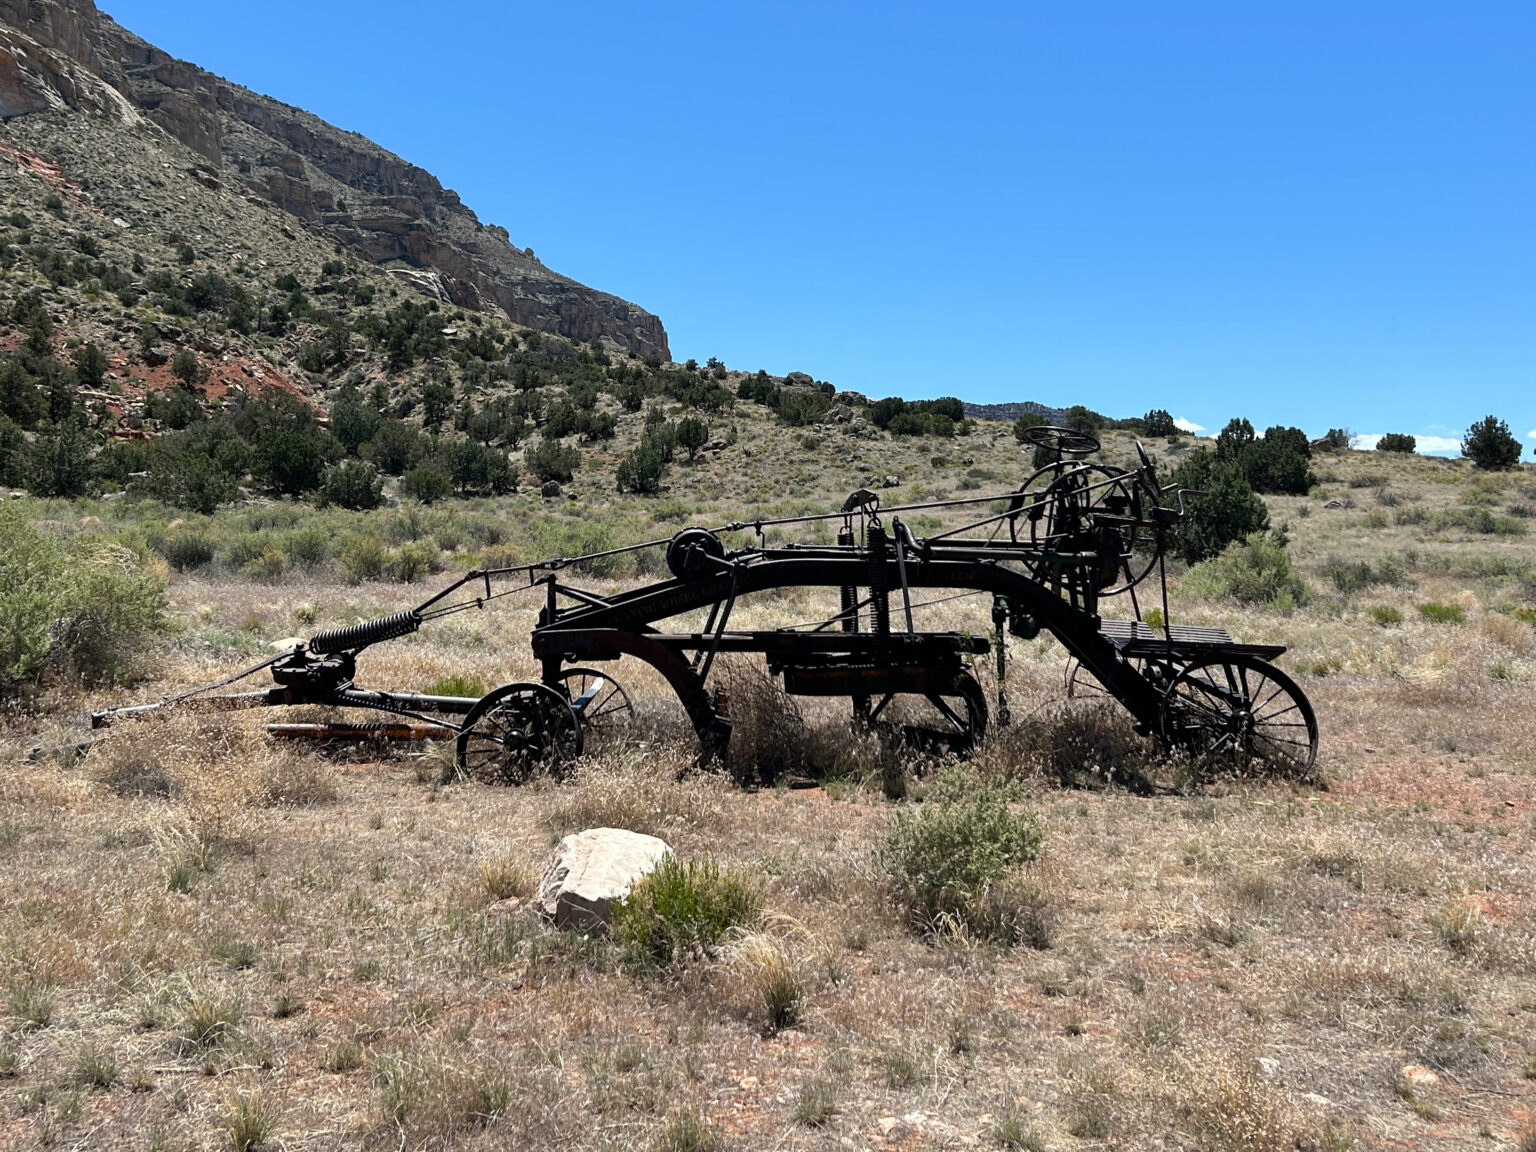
515 732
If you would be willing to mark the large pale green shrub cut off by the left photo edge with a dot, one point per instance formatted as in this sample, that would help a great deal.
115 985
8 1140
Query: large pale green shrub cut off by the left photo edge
84 611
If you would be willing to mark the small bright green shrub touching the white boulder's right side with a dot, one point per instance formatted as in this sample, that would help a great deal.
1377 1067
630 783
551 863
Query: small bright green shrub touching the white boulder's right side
684 910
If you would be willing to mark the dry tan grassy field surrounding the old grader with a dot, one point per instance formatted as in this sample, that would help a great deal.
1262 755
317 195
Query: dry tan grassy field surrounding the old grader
211 941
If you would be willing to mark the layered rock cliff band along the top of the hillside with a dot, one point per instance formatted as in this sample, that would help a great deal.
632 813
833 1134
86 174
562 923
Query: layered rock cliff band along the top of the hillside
65 53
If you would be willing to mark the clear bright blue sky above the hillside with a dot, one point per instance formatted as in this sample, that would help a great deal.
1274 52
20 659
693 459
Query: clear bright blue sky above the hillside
1313 214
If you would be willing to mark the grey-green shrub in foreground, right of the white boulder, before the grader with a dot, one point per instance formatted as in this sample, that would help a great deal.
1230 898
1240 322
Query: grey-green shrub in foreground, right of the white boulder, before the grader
948 856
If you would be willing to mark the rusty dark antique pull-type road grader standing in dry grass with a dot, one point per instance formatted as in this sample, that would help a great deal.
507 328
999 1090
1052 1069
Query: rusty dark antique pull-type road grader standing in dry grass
1048 555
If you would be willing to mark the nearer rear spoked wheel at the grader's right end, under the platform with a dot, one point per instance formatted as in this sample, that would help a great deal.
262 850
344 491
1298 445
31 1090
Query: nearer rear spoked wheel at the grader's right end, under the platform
1242 712
